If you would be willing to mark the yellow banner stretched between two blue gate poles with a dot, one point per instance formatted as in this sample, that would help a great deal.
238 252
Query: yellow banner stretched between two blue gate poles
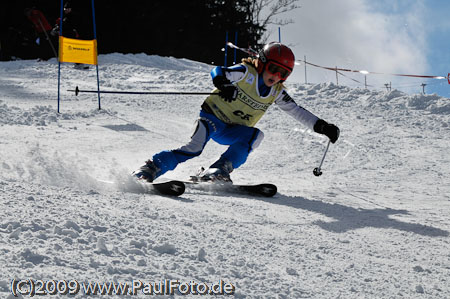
77 50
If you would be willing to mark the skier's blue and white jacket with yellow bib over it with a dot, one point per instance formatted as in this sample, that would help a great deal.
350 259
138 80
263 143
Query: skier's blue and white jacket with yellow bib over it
254 98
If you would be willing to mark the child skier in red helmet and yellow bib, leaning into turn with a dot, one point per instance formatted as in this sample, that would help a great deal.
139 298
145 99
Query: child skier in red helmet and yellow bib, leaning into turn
243 94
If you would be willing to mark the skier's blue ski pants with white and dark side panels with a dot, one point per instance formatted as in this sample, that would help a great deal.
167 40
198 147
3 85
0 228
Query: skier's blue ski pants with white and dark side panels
241 140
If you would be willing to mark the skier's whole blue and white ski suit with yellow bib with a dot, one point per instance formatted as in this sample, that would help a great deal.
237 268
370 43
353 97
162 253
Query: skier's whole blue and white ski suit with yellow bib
231 123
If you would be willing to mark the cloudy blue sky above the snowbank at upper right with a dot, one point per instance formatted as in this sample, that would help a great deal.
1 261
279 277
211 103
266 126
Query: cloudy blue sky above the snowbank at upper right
392 37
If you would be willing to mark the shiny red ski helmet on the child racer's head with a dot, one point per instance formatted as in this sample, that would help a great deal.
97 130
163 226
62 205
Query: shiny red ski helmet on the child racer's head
278 54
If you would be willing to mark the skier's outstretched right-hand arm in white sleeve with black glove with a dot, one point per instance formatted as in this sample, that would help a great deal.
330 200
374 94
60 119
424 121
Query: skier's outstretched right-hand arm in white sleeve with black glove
288 105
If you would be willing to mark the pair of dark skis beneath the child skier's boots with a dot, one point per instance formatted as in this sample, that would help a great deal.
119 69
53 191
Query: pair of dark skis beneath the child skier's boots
177 188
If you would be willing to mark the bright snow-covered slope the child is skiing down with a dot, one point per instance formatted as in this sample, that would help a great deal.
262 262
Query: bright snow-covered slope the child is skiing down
376 224
